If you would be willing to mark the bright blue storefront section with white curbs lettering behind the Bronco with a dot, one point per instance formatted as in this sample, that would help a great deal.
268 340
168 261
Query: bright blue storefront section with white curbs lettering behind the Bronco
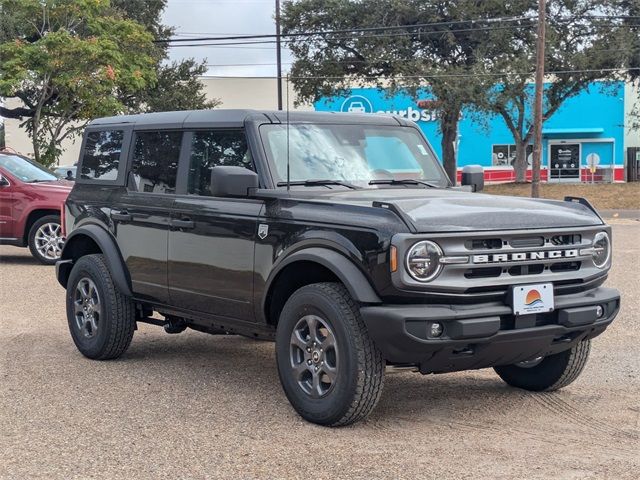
592 129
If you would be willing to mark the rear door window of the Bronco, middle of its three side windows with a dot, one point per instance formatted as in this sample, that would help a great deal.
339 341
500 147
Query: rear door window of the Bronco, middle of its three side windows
155 161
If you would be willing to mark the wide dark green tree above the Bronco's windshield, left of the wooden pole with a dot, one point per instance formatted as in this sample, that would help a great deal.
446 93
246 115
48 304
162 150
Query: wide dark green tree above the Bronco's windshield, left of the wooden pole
450 56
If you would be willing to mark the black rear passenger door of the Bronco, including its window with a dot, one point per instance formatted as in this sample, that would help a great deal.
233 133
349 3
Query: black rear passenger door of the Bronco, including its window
141 214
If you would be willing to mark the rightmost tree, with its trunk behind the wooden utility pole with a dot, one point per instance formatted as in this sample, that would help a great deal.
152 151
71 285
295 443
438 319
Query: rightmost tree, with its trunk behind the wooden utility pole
580 49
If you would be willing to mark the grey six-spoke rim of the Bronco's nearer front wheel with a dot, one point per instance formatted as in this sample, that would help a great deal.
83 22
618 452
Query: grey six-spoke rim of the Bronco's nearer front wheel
314 356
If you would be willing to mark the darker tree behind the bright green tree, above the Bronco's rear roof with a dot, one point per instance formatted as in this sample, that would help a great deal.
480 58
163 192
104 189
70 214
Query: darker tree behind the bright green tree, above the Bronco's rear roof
177 86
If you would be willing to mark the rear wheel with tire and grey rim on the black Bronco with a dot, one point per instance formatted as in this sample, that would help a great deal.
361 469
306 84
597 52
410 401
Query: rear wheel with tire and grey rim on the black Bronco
101 318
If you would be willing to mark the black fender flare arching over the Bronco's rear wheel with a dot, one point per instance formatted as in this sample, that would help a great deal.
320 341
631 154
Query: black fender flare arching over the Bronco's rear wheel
109 248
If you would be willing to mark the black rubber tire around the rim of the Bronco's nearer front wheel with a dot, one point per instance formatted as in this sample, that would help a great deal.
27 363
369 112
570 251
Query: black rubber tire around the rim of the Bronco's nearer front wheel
360 368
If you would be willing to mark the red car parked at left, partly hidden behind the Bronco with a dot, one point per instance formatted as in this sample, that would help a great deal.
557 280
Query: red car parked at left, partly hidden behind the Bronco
31 198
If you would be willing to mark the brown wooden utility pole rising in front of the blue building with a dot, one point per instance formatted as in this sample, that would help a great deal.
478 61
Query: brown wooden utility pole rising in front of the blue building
537 106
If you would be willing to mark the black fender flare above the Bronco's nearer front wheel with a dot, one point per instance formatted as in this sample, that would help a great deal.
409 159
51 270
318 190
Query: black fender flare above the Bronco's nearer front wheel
347 272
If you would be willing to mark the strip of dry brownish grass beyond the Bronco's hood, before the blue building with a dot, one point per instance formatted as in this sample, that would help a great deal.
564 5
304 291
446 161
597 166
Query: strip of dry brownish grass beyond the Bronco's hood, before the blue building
606 196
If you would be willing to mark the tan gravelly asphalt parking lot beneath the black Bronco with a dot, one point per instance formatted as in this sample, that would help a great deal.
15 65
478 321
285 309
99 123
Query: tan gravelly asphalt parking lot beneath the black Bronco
199 406
